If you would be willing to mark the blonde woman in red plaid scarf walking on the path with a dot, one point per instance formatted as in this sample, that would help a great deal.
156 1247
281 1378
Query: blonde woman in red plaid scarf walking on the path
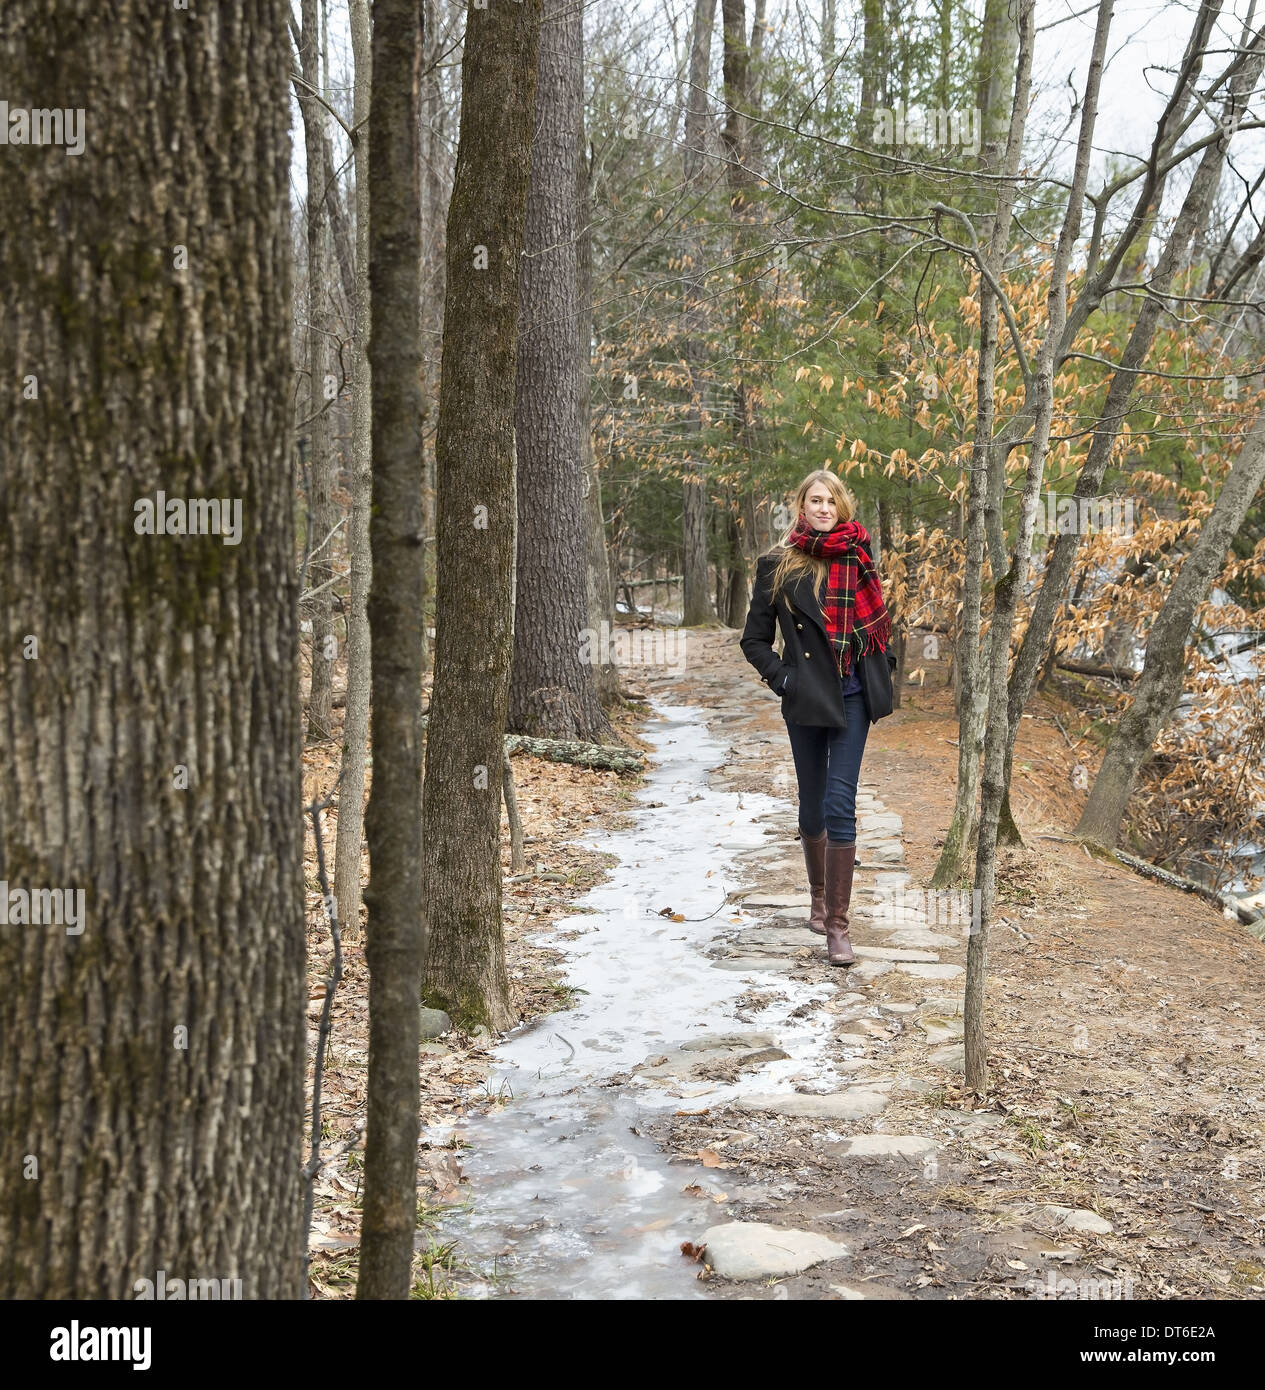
835 680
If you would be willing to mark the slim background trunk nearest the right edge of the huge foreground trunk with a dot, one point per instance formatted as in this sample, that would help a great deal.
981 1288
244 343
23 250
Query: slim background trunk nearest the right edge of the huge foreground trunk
320 459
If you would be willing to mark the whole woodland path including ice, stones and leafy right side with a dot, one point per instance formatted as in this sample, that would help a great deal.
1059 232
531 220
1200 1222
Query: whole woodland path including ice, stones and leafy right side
806 1127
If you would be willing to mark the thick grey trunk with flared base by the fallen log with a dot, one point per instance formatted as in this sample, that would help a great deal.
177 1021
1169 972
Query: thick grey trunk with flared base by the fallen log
553 689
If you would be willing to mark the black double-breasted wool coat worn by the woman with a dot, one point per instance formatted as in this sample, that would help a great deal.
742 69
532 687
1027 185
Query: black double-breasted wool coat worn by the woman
806 676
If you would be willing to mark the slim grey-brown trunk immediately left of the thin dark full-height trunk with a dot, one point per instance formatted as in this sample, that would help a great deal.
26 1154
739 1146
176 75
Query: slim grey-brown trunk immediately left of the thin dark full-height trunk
351 787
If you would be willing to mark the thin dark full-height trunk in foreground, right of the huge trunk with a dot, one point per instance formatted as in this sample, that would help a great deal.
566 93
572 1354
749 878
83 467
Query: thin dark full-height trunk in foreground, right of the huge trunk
397 929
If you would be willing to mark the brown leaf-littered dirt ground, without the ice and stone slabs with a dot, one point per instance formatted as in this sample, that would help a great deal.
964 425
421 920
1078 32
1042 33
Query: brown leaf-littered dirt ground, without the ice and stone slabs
1127 1027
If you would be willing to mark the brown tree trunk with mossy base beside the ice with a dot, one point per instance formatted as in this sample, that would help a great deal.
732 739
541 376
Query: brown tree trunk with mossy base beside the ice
475 448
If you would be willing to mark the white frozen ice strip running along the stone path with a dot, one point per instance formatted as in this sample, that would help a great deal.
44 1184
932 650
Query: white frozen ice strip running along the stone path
568 1200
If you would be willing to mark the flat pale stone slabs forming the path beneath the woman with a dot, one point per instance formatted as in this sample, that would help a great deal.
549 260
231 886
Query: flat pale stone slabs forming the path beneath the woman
892 1025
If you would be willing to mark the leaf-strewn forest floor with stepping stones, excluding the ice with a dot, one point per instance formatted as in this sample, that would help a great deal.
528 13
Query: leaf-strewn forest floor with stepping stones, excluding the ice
1120 1142
